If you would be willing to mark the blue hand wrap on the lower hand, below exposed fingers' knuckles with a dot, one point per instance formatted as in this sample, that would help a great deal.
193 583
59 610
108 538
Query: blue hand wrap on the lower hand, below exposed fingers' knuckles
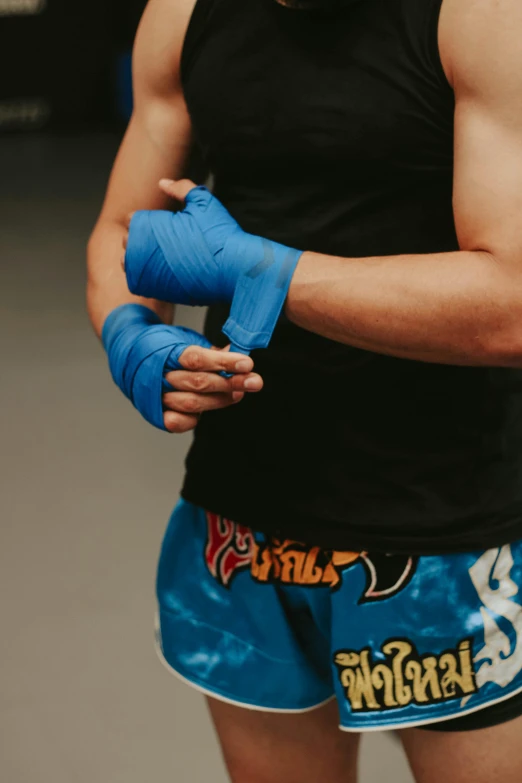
141 349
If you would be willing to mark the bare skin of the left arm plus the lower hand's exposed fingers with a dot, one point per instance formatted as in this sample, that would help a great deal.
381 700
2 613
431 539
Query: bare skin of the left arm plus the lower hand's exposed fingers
158 145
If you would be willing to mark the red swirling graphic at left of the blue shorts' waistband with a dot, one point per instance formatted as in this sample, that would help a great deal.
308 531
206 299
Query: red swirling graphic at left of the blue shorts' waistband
229 549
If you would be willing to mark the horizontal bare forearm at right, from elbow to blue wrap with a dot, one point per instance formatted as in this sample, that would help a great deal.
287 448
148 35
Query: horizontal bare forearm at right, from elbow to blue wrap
453 308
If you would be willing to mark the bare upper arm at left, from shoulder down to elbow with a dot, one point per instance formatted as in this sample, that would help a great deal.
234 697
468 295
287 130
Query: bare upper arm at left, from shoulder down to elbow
157 142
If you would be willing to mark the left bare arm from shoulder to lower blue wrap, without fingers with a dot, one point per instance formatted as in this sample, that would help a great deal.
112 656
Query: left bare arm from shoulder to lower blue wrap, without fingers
156 144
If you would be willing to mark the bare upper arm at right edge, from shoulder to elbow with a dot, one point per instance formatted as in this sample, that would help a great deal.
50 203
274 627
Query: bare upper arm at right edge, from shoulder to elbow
486 67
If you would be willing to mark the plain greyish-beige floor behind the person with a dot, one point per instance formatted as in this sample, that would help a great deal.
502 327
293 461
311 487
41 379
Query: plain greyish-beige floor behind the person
88 489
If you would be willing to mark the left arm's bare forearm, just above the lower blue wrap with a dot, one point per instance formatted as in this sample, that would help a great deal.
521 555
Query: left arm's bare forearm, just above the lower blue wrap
106 285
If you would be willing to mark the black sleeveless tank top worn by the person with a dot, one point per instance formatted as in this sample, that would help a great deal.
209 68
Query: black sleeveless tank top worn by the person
334 133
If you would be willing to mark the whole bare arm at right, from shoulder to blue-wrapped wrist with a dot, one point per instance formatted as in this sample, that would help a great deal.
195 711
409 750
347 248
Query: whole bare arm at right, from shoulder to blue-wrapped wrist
463 307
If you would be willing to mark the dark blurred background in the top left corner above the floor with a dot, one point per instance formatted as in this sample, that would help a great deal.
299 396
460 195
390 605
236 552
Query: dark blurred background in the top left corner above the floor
65 64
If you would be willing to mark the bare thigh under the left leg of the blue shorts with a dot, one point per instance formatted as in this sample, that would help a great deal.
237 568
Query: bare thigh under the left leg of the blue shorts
263 747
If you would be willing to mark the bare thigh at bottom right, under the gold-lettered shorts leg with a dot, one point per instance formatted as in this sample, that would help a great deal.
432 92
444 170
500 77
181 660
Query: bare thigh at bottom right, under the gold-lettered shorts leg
482 756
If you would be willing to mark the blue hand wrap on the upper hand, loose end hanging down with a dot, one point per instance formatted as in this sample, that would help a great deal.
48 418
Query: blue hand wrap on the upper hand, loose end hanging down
200 256
